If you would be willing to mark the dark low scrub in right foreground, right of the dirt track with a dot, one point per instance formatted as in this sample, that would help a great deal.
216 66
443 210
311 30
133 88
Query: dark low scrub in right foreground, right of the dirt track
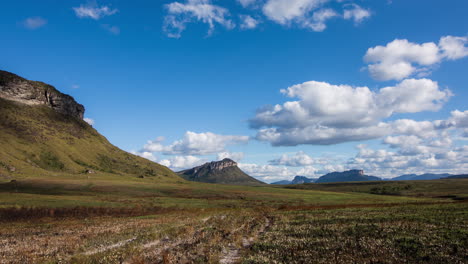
401 234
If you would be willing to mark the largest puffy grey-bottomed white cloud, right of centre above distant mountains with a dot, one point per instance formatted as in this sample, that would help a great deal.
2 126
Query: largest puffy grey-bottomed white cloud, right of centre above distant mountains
330 114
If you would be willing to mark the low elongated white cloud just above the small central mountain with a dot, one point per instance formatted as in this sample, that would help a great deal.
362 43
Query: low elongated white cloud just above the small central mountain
196 144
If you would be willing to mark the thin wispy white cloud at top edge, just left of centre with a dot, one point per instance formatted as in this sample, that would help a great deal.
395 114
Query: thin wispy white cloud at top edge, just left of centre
179 14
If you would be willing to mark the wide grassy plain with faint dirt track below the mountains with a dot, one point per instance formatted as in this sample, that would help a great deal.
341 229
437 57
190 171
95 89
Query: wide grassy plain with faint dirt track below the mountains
108 218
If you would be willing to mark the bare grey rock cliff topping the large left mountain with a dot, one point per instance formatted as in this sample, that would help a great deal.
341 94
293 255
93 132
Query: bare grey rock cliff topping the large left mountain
15 88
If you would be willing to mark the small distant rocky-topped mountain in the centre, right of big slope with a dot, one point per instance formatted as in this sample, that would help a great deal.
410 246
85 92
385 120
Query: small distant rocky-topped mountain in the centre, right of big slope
224 172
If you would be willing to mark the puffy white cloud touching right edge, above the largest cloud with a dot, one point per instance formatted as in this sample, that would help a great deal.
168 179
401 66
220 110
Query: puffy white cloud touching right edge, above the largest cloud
400 58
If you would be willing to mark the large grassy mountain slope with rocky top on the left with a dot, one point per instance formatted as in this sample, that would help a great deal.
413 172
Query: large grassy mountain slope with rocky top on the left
42 133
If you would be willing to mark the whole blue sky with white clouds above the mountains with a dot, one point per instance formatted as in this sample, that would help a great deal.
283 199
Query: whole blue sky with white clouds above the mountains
200 74
